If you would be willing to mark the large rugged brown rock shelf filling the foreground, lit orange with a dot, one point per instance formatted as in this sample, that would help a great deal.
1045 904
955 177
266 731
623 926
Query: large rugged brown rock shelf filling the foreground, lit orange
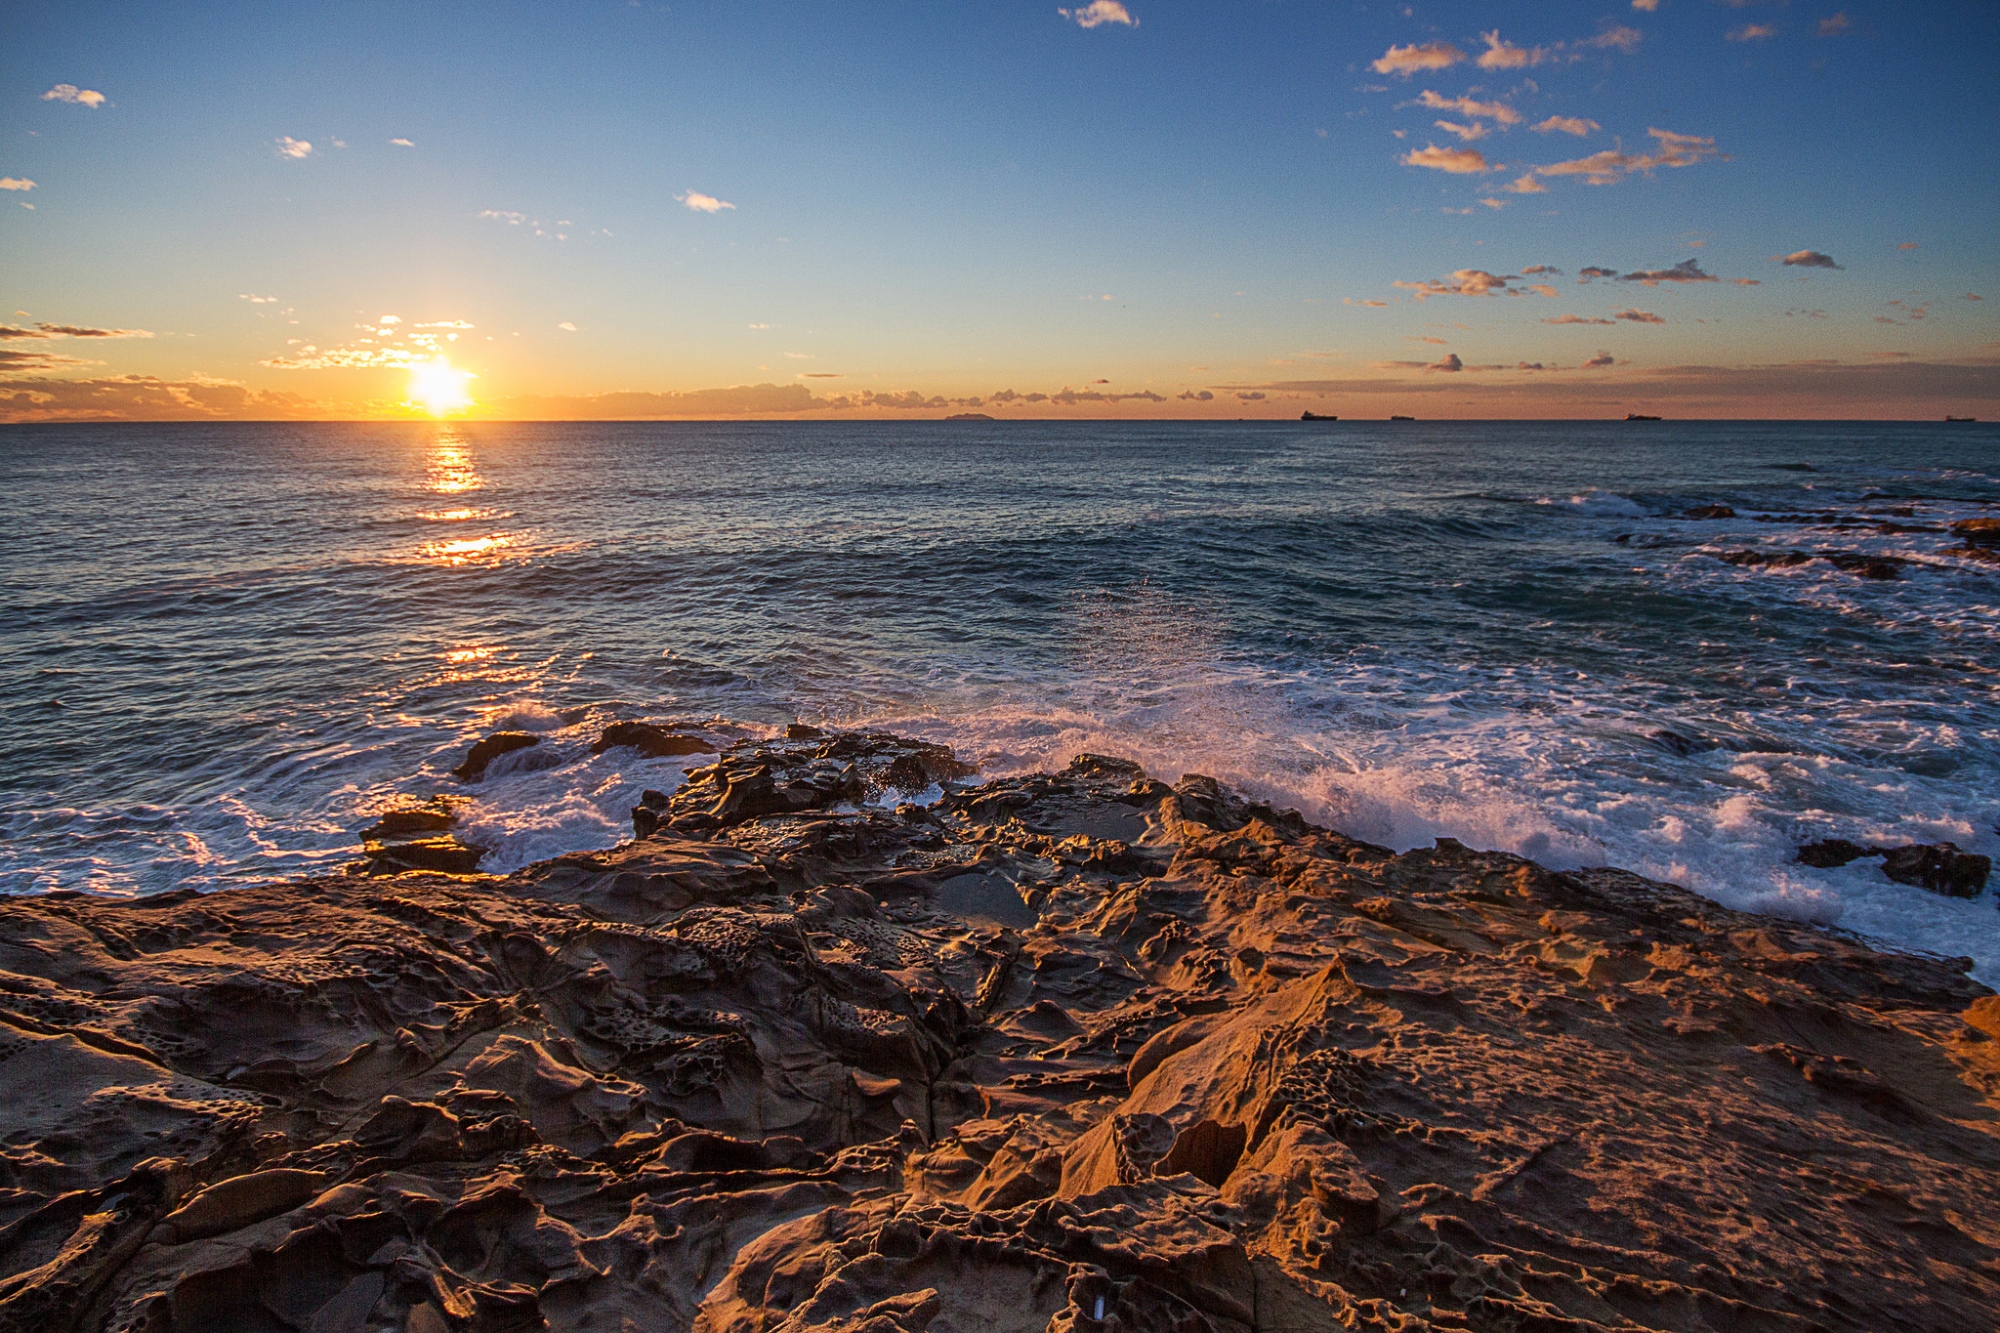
1069 1052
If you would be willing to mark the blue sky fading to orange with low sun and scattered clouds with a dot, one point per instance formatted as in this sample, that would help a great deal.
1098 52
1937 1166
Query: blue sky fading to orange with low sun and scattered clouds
623 209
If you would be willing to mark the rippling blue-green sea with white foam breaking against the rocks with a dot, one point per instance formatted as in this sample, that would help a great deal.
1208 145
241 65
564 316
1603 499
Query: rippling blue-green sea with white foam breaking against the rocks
223 647
